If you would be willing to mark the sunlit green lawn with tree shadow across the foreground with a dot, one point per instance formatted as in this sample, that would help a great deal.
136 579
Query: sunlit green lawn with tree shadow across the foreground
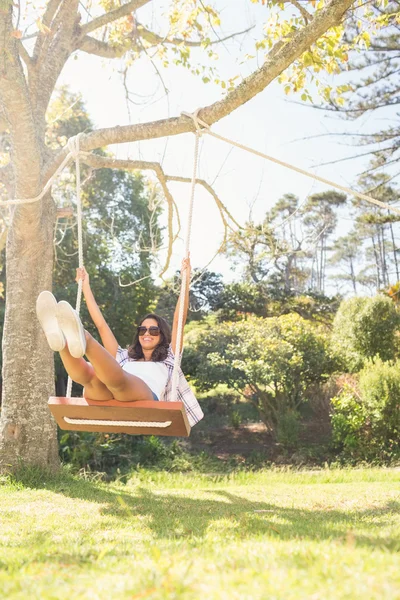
317 535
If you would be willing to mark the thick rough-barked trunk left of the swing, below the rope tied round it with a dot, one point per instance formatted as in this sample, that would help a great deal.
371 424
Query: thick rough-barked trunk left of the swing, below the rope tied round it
28 431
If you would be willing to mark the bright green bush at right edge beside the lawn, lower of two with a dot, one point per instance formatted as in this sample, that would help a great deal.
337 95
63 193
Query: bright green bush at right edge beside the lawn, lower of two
366 419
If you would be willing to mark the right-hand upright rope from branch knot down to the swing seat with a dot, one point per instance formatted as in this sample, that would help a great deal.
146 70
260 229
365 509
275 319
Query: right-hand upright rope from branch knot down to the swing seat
184 283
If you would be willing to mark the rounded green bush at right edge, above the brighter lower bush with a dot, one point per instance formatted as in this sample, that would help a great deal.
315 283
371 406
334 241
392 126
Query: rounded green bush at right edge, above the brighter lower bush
364 328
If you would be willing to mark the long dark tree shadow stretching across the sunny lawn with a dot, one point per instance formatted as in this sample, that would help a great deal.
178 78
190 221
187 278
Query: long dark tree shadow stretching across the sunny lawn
173 516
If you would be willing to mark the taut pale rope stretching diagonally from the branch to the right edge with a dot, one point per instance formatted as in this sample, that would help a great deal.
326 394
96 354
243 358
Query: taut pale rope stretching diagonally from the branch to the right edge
206 129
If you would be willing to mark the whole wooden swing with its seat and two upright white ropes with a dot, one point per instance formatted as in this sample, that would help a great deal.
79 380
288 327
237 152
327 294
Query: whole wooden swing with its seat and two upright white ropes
111 416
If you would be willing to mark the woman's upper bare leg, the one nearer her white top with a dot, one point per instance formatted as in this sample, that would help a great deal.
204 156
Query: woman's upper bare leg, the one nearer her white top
123 386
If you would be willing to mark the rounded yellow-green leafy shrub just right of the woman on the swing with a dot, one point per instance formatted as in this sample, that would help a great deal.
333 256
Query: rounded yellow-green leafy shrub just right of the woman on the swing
271 361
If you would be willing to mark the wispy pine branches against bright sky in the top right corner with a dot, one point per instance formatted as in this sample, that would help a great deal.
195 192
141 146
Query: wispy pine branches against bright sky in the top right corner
374 83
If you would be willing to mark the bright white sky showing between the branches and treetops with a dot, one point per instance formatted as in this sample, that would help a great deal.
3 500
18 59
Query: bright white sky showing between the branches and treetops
271 123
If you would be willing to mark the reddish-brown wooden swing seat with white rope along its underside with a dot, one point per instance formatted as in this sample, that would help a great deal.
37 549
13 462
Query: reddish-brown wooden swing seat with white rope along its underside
112 416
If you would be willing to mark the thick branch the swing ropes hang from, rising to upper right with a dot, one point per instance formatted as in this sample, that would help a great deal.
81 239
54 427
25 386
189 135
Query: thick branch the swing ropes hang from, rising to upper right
273 66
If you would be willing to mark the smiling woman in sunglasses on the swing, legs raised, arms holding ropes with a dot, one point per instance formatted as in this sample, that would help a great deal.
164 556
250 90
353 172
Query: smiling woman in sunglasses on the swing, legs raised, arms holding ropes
143 372
